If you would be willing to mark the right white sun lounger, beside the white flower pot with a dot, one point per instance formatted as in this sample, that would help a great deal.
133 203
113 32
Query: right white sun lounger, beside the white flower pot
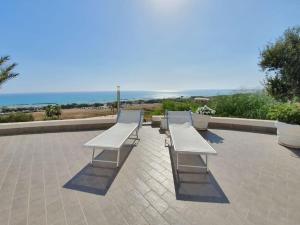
185 139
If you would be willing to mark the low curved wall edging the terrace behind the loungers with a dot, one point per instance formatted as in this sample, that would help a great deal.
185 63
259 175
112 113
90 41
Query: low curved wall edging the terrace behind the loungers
98 123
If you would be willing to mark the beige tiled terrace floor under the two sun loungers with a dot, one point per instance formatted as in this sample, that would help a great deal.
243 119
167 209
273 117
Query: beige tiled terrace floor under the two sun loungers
47 179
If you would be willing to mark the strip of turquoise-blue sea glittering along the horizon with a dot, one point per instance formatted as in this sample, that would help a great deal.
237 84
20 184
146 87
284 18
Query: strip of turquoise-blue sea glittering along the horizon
41 99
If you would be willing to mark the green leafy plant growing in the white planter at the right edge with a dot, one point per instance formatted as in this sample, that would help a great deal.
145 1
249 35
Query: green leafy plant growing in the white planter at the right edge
285 112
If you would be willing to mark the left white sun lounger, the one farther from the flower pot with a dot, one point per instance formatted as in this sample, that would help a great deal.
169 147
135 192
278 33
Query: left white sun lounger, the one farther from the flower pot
127 126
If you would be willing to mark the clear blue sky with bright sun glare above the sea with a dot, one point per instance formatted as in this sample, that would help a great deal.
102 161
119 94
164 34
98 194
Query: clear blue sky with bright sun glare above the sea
75 45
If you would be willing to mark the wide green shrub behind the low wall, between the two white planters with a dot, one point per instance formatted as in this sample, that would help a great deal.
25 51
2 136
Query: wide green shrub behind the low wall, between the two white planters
252 106
